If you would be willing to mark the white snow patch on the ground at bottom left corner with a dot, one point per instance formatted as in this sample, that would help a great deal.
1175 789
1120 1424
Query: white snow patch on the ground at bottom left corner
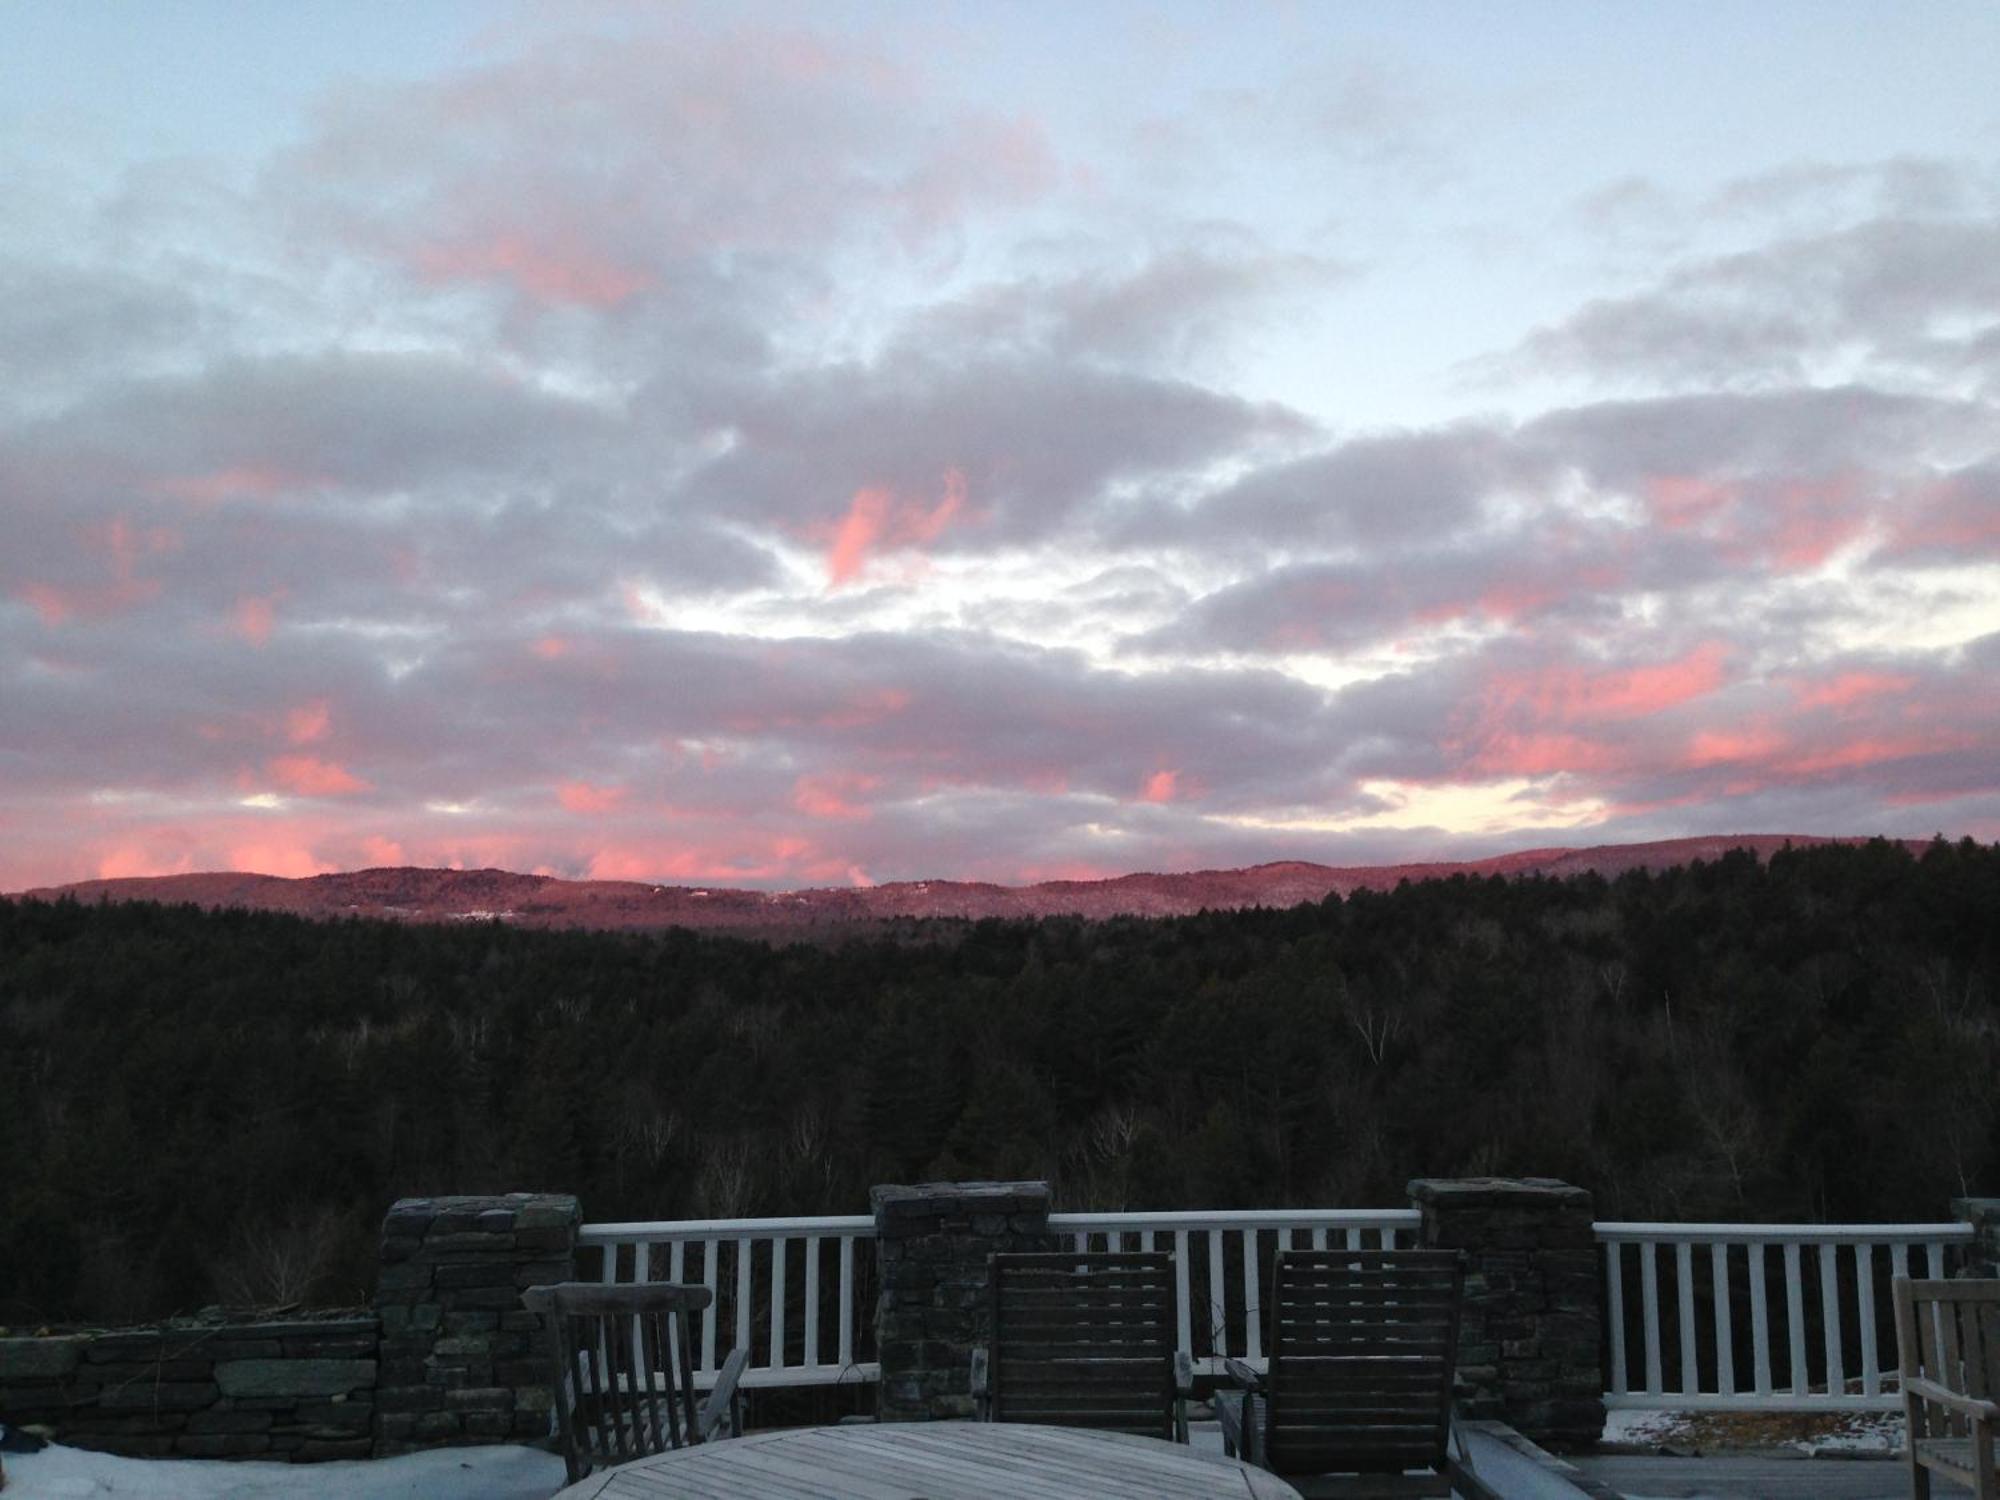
441 1475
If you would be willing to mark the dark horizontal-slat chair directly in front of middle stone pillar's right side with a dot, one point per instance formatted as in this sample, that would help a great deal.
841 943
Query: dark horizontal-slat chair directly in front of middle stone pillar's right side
1085 1341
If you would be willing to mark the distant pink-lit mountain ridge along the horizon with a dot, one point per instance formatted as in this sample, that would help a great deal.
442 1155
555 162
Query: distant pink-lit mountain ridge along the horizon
415 895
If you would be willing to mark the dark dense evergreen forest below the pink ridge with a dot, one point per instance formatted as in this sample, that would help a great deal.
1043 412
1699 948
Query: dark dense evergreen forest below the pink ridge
205 1107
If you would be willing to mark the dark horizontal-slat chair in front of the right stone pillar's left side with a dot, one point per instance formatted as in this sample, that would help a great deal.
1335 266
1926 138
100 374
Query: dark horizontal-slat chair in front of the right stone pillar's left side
1359 1393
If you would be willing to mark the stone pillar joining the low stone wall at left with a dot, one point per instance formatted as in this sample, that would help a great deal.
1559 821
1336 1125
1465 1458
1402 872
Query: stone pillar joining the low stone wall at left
463 1361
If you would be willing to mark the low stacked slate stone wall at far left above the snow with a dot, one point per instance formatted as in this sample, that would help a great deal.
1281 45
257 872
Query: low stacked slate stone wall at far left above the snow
297 1389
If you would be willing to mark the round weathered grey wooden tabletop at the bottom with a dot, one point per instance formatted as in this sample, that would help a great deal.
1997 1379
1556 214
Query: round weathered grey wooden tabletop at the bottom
935 1461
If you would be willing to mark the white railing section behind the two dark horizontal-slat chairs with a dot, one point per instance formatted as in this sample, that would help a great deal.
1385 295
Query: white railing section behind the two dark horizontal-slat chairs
1231 1253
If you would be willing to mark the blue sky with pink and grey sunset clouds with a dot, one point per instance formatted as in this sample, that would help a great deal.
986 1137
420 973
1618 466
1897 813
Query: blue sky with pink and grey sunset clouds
851 443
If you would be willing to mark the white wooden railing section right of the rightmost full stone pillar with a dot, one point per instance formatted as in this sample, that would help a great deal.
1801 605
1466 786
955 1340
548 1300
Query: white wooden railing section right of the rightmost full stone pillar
1847 1311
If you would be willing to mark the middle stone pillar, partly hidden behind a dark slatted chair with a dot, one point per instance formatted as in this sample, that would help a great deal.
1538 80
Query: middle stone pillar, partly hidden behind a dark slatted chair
935 1307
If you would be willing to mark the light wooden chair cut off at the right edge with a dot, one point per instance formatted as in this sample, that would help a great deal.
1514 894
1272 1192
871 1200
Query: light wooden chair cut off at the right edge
1949 1353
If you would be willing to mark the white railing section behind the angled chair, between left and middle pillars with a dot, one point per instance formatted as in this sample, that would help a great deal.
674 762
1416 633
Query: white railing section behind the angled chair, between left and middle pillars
823 1335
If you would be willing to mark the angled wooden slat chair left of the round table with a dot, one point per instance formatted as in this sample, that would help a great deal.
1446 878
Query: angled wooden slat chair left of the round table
625 1371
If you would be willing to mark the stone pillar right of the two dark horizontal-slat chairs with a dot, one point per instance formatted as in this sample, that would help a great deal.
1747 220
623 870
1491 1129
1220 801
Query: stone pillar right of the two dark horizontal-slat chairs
1531 1343
